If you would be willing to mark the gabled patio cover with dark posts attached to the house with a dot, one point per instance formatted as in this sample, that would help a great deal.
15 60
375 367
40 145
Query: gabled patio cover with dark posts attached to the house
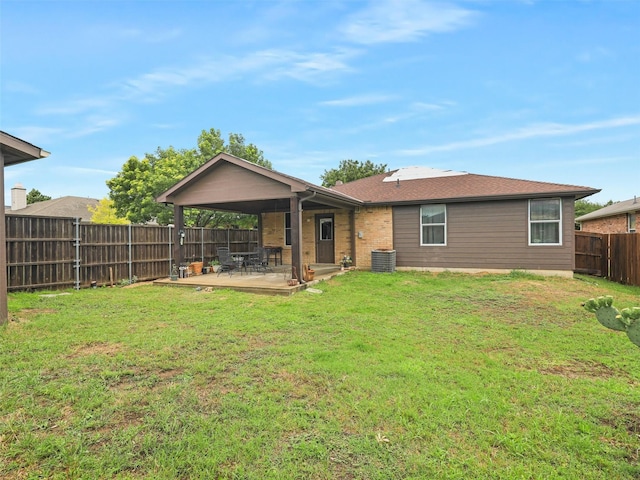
229 183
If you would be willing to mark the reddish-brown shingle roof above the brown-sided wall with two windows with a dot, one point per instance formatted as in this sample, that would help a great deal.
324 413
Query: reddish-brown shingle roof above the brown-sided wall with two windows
416 184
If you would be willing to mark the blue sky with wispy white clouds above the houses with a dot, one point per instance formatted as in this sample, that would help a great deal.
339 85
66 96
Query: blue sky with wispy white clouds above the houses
538 90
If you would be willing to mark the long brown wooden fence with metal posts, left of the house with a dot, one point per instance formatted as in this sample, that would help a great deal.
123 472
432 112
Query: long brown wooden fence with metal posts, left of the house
52 252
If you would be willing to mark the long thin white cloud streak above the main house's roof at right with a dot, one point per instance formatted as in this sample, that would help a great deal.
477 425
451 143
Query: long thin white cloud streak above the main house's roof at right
534 131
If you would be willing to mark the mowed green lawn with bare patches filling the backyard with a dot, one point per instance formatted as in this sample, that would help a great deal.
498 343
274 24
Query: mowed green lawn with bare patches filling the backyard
382 376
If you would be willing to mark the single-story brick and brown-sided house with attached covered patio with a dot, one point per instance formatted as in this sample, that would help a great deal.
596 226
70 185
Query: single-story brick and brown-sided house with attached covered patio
433 219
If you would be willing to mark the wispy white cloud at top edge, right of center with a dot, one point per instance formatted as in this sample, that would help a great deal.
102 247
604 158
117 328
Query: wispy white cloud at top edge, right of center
388 21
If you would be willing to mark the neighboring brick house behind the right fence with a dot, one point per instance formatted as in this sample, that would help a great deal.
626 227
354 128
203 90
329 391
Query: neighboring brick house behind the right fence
619 217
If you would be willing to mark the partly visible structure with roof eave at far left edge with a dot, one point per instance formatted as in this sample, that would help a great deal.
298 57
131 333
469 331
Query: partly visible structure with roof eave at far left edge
13 150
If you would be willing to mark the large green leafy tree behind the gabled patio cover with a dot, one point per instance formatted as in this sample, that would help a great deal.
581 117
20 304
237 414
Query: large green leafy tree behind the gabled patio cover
134 189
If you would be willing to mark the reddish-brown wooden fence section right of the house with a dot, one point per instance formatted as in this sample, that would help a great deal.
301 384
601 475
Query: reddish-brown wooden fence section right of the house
615 256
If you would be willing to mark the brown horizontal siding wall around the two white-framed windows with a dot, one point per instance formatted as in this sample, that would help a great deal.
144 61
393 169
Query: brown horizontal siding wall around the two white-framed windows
491 235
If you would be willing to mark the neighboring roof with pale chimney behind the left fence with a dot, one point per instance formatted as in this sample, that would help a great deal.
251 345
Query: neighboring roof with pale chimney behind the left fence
67 206
